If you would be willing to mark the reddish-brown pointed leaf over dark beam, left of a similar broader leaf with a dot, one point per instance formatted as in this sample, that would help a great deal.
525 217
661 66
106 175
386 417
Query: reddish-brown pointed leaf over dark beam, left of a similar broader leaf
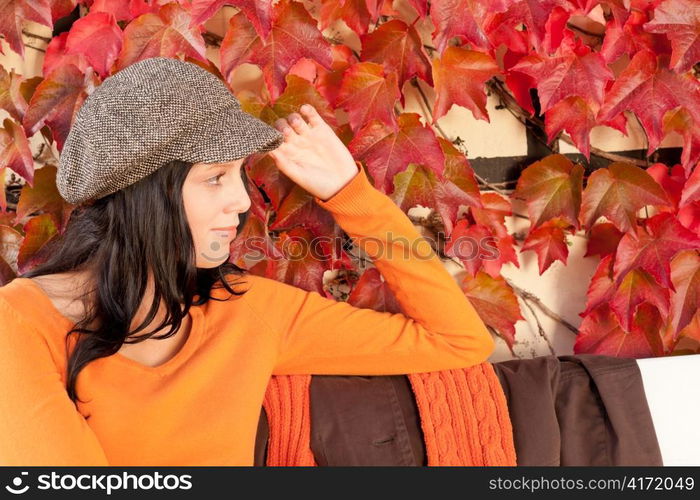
551 188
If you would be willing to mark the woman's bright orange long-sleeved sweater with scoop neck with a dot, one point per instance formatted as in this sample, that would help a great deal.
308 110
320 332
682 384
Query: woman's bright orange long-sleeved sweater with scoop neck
202 406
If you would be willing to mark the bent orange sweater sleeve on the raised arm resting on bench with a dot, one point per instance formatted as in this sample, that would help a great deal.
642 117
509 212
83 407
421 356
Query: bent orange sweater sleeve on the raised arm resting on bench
317 335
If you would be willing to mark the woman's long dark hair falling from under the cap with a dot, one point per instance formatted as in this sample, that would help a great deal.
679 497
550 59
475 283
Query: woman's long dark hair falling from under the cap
118 240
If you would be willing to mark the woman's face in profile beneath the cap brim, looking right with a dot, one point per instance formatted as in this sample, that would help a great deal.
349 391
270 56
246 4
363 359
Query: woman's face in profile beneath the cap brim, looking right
214 195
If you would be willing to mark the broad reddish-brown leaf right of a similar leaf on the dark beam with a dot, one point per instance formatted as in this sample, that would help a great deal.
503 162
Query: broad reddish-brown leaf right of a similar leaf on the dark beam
617 193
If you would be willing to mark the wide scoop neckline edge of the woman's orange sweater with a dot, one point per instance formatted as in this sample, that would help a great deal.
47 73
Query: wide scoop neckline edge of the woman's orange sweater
191 343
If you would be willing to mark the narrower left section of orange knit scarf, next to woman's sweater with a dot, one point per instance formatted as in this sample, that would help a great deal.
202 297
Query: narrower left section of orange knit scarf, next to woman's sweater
288 411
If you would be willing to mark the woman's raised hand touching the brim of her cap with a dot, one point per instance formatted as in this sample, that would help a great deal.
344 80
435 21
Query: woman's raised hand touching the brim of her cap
312 155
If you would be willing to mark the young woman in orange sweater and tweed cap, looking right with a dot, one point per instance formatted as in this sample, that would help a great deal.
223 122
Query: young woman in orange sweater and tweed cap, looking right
138 343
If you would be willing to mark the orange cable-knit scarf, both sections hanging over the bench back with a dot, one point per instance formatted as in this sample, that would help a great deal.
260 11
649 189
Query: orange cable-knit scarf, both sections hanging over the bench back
463 412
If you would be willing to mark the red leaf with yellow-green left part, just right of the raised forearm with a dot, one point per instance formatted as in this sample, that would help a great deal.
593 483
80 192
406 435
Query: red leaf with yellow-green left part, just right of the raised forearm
419 186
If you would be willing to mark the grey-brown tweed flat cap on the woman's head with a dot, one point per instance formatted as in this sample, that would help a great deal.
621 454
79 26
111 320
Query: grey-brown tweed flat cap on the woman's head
153 111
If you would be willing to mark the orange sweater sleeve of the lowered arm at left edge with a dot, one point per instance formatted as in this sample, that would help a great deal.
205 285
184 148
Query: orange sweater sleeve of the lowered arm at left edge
39 425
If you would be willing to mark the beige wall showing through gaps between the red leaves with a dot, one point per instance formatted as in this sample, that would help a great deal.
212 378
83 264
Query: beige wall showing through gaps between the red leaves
561 288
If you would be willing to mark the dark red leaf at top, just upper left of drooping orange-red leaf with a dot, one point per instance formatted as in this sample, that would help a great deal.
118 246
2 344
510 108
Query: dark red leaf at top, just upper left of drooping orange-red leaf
399 48
